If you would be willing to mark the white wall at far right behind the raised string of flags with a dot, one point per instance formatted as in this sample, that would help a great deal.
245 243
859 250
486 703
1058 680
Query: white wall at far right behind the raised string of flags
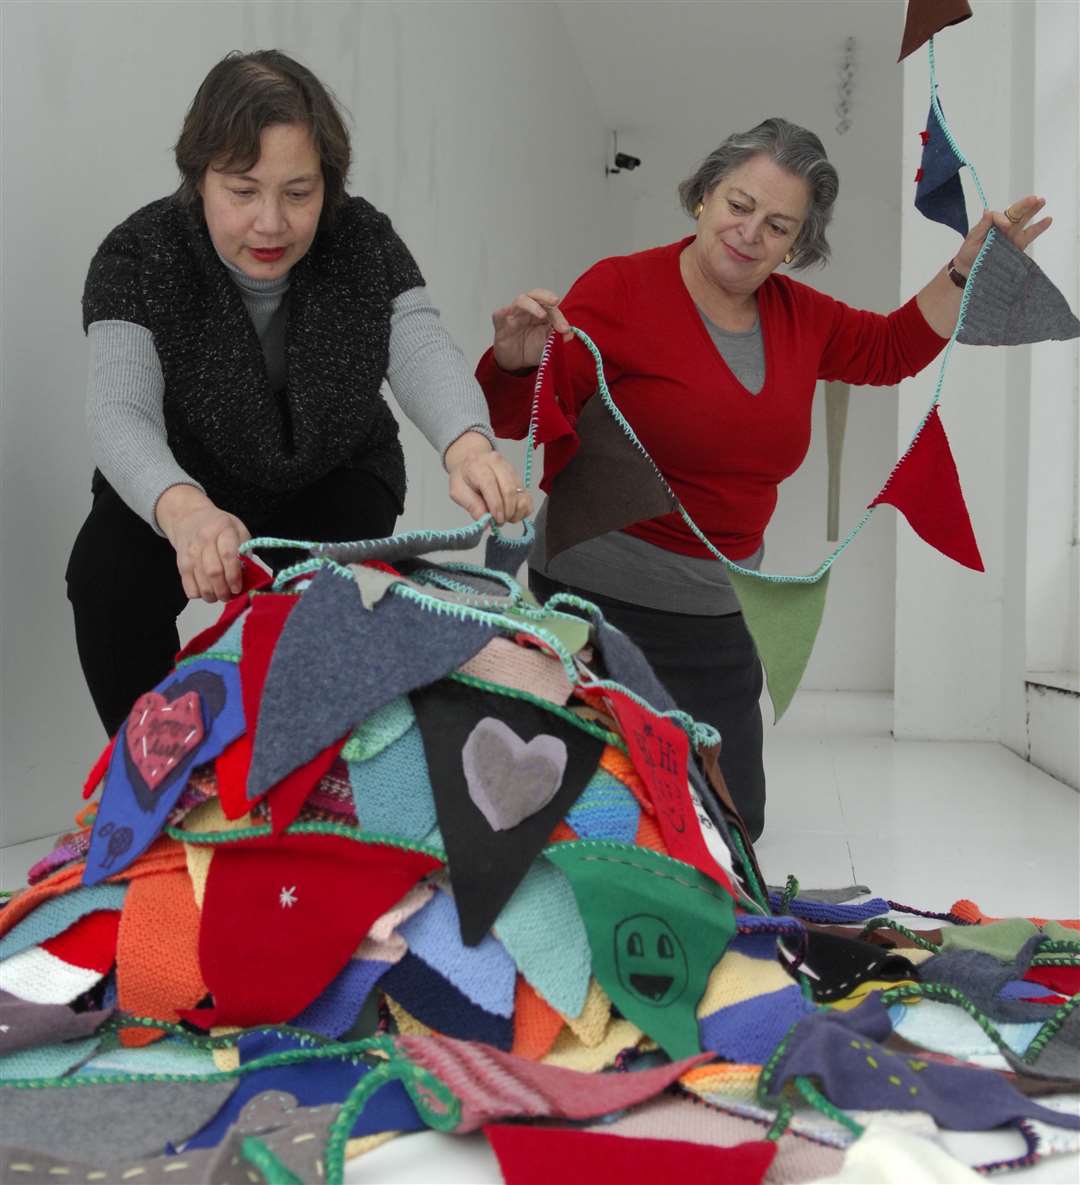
964 640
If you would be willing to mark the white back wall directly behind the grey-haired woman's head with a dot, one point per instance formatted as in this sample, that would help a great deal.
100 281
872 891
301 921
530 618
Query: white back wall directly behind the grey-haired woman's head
675 79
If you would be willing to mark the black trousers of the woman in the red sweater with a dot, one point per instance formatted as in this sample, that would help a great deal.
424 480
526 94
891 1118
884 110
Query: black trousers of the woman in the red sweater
712 669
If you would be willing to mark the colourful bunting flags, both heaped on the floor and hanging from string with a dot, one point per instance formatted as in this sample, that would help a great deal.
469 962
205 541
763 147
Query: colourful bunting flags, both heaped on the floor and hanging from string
395 849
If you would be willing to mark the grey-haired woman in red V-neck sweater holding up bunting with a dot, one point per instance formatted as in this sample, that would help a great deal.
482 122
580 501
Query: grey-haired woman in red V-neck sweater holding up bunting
713 357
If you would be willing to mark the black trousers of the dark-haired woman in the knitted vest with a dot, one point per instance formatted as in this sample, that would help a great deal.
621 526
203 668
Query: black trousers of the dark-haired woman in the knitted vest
126 593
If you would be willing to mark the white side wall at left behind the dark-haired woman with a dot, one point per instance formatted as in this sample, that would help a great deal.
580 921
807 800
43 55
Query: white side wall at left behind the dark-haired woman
474 129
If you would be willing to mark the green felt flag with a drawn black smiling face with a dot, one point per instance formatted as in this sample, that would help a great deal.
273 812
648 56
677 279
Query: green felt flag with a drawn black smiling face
656 928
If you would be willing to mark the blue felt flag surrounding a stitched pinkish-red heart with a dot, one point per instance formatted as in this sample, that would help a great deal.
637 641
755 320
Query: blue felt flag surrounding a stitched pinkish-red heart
133 812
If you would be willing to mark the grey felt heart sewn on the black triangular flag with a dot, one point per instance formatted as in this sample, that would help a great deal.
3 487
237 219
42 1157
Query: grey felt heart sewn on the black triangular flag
508 779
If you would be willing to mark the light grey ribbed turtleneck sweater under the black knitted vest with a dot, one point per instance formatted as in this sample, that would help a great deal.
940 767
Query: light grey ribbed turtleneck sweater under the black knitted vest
427 374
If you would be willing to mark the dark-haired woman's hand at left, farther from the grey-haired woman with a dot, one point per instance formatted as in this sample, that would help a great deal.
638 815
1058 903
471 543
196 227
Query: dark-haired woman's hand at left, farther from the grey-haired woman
207 541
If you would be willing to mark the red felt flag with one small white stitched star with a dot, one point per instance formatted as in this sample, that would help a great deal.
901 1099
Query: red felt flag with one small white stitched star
273 931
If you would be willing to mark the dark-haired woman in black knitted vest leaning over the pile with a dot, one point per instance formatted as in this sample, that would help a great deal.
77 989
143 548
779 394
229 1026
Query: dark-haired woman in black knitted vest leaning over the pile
240 332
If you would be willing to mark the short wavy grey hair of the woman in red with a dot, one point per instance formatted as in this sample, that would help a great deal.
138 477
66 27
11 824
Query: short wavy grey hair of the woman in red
796 151
